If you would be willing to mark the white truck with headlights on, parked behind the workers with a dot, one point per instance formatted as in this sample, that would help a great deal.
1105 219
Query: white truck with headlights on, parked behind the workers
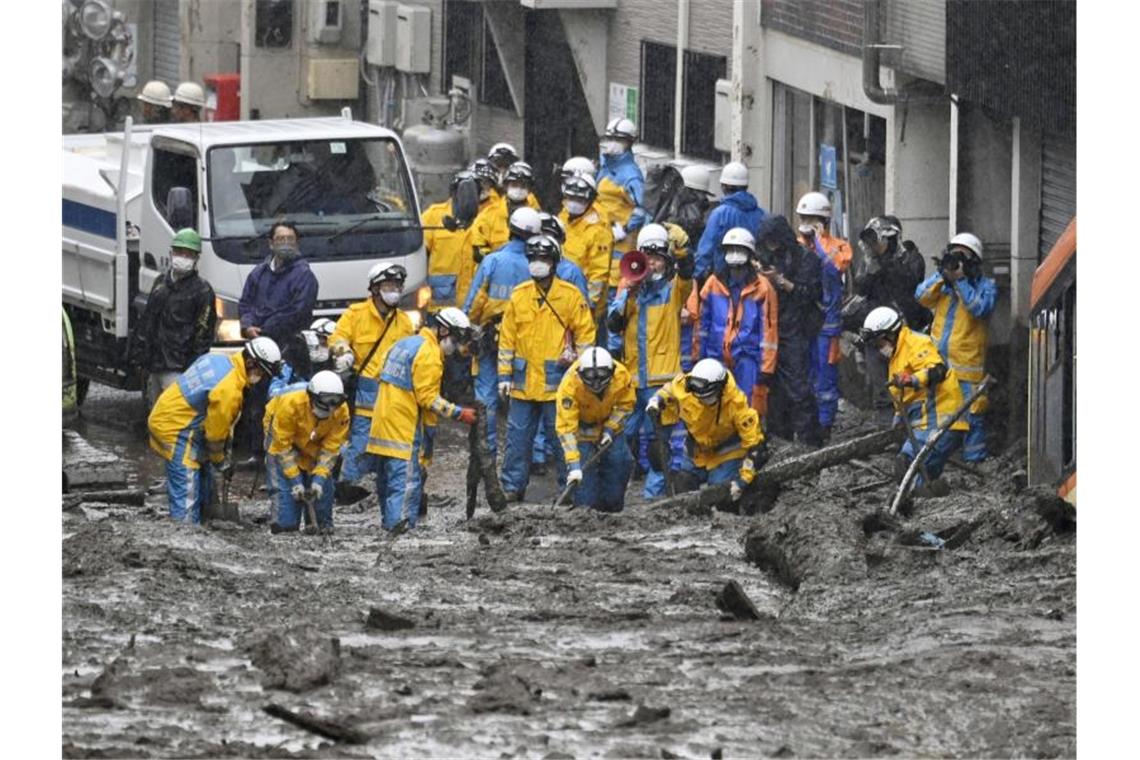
345 184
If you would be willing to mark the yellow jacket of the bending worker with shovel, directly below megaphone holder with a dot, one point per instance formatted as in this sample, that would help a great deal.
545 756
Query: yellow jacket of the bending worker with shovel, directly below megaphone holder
582 415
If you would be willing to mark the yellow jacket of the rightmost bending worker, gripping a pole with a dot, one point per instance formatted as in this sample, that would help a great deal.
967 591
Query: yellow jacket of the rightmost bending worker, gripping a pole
916 354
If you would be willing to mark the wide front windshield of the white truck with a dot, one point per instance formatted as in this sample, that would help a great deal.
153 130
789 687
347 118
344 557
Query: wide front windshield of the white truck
323 187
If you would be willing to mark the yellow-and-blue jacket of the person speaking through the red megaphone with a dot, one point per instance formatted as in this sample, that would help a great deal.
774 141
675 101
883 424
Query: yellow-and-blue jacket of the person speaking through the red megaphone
653 329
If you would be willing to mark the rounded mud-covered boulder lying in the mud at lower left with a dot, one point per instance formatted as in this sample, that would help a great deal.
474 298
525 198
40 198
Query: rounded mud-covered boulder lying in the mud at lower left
296 660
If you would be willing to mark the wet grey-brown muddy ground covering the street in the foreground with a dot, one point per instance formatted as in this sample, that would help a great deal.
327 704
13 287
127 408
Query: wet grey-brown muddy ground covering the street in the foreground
544 633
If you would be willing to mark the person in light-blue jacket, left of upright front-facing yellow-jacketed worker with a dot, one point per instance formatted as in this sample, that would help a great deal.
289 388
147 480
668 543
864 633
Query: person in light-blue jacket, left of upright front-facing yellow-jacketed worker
496 279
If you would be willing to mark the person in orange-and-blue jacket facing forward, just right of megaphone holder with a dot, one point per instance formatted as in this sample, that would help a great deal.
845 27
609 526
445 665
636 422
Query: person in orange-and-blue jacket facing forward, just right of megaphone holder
737 313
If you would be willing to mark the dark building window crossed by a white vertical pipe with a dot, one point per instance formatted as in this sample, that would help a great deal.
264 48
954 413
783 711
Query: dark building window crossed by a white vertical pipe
658 92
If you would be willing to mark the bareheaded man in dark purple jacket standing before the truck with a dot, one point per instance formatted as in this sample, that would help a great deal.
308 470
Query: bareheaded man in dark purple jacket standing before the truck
278 303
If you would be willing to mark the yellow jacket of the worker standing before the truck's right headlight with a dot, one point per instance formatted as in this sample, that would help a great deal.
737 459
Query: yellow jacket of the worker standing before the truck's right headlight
359 329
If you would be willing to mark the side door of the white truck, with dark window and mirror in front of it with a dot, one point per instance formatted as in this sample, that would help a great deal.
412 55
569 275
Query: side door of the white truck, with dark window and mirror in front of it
170 202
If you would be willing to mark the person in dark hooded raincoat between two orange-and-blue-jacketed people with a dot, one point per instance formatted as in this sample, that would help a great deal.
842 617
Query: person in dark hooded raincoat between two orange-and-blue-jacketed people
795 274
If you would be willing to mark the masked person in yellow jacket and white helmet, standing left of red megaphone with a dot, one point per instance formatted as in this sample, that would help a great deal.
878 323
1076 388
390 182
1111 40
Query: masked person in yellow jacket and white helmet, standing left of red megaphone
590 240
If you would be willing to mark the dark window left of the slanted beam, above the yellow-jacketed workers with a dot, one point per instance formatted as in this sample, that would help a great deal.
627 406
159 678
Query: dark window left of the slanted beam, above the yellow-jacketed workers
470 52
